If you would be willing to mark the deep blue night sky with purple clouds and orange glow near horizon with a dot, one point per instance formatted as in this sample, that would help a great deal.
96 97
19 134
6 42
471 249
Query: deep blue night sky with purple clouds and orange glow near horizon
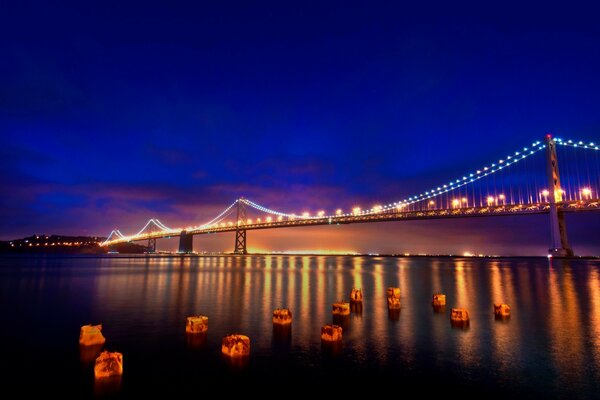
113 112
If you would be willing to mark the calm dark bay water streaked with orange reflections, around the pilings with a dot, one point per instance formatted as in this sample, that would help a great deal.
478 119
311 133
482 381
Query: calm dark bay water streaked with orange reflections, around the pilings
550 347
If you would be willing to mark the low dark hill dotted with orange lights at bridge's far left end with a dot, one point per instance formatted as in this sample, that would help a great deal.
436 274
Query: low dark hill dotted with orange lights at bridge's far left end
60 244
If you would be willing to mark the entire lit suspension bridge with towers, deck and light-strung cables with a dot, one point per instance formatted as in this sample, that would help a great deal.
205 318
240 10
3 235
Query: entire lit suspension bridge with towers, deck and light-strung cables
524 182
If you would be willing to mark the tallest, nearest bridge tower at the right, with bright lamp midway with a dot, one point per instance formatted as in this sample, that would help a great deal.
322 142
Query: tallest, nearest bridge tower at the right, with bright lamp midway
558 229
